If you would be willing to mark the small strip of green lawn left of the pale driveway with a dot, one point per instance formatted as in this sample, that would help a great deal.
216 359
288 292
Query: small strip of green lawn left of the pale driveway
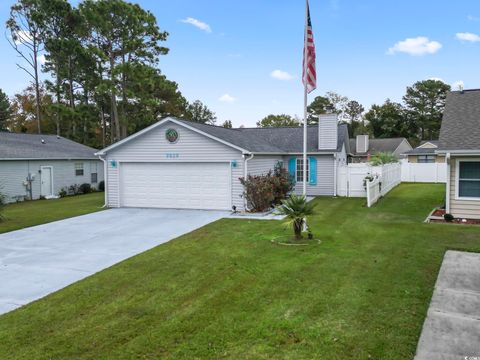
30 213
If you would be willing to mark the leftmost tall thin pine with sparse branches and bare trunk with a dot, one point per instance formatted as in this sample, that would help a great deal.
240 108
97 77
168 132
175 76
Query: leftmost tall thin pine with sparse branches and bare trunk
27 33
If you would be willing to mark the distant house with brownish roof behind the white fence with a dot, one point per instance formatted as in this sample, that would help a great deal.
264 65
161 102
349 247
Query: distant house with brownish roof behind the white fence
362 148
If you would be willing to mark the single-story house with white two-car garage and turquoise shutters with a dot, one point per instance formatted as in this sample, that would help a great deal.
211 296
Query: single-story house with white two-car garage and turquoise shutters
181 164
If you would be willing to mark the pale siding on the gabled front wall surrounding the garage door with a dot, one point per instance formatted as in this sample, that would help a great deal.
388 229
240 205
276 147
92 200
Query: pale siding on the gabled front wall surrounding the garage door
190 147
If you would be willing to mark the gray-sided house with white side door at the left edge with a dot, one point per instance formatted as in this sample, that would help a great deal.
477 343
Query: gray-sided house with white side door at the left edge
32 166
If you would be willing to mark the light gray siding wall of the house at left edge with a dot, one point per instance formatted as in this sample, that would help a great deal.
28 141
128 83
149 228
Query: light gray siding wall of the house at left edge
14 172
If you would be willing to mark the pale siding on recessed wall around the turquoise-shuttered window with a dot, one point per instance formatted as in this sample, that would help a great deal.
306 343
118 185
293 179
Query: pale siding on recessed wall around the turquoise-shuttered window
325 176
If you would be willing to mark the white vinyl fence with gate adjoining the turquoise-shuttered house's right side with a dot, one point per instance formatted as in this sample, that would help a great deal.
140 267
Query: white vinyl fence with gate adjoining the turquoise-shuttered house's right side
350 180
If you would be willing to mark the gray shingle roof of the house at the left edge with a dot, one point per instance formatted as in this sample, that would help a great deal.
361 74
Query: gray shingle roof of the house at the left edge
30 146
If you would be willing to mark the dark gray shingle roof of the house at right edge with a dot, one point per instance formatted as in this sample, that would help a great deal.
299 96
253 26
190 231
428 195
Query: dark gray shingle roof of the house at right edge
461 121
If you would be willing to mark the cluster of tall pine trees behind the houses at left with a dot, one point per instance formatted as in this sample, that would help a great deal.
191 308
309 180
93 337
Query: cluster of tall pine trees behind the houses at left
102 58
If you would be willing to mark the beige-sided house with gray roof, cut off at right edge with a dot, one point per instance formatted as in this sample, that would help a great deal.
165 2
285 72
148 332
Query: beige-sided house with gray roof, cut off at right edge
460 143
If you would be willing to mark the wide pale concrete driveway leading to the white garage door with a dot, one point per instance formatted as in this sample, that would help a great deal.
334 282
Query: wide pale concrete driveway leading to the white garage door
37 261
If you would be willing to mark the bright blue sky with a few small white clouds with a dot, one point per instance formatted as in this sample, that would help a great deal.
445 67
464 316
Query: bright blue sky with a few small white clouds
224 52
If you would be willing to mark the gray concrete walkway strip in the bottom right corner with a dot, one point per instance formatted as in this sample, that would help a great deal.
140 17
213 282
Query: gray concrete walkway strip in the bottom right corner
452 328
